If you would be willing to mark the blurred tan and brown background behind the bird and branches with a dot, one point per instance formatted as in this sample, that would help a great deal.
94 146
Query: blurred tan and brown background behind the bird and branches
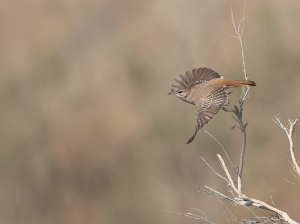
89 134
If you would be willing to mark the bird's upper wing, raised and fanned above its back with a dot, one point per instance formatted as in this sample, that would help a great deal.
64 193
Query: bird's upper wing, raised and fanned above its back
195 77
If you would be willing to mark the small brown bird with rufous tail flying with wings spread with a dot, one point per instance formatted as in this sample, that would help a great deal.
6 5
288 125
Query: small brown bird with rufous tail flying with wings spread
205 88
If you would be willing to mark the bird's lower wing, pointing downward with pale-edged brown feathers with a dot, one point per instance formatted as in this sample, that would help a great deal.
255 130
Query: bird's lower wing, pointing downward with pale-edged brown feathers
209 107
